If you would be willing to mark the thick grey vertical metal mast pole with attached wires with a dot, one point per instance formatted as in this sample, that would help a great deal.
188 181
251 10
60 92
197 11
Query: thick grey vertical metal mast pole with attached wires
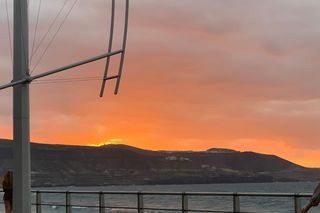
21 111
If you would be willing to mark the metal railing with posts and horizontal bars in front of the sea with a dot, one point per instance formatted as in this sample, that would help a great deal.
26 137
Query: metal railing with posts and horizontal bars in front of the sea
140 206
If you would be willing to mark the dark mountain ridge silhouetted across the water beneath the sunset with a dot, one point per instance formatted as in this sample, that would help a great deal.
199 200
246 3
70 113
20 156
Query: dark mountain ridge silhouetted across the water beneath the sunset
115 164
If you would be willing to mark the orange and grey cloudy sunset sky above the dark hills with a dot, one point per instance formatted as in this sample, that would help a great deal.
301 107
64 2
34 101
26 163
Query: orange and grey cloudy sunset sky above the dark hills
198 74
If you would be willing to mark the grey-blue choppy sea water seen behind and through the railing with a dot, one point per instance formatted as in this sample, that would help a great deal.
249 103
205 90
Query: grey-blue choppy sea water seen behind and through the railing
211 203
